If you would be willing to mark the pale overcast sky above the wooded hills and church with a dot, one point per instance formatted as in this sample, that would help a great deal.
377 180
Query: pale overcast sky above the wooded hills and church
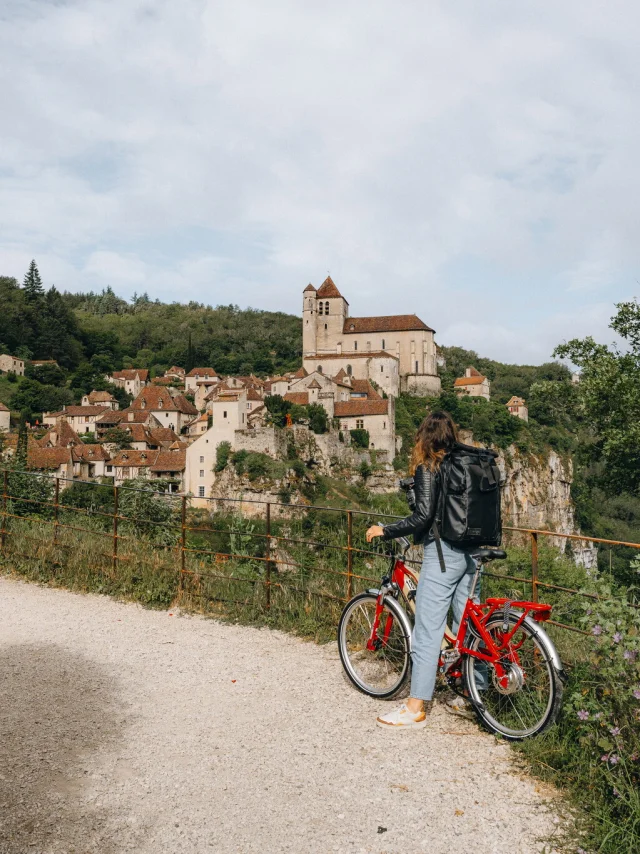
473 162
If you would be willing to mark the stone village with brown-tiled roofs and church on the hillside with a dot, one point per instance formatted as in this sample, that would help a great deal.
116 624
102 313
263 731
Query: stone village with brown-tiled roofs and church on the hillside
353 367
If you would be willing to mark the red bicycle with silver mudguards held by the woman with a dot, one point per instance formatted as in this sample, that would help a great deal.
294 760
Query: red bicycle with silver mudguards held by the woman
502 661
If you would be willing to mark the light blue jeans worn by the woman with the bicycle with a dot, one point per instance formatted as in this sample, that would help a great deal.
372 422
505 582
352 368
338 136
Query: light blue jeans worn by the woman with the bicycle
437 592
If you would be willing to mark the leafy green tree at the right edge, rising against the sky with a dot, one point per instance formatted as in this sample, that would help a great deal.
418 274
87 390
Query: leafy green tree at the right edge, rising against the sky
608 396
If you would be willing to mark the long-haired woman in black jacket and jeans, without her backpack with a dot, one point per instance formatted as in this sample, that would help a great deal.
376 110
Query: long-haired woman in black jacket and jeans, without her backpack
437 590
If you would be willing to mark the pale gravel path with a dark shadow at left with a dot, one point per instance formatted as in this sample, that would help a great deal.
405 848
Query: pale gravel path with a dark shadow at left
123 729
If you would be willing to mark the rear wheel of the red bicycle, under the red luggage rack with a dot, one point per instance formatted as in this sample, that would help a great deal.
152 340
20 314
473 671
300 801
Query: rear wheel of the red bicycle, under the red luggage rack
530 700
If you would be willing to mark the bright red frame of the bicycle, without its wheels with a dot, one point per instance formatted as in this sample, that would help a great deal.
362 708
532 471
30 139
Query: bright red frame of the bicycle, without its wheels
401 581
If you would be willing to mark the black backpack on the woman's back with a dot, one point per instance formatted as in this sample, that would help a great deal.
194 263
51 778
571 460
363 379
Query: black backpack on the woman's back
468 511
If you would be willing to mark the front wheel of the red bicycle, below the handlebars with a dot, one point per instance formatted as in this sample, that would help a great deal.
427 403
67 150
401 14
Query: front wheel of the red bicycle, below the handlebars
384 671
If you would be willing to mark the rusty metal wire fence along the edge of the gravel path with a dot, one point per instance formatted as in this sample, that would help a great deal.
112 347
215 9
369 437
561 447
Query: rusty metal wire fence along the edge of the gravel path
266 546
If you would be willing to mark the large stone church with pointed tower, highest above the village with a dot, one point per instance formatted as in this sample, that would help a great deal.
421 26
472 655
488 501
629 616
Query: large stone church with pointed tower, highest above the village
329 330
